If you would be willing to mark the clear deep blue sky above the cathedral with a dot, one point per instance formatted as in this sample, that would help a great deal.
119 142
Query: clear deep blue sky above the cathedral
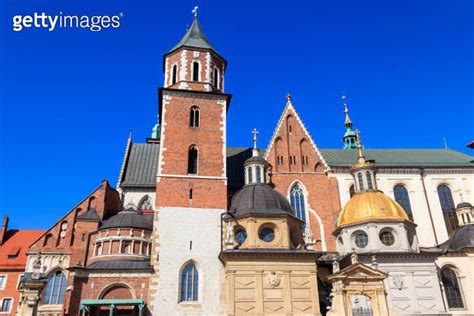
69 97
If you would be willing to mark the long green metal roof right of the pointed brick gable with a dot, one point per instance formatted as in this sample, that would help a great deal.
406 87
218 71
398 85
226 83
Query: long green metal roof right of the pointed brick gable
420 158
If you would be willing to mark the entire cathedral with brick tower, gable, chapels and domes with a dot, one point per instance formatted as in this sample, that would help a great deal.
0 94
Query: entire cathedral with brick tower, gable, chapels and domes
195 227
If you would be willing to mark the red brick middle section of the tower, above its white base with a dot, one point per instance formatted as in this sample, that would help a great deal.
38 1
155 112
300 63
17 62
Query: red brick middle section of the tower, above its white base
174 184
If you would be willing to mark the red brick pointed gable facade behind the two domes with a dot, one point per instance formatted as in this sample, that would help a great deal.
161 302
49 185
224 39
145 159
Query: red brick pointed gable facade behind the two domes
295 159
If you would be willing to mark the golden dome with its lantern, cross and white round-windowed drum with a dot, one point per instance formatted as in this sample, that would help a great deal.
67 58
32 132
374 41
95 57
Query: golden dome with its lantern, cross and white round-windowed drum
370 220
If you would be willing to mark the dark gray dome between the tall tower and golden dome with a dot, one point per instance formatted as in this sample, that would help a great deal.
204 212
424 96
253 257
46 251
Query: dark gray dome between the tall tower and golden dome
259 199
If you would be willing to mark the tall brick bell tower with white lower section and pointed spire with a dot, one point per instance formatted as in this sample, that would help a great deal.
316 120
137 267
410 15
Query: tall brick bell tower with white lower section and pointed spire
191 190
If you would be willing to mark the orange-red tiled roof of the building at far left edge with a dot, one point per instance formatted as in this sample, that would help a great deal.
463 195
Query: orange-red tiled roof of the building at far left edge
14 247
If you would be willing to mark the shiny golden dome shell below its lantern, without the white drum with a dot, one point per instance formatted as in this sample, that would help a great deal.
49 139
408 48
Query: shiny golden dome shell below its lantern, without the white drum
370 206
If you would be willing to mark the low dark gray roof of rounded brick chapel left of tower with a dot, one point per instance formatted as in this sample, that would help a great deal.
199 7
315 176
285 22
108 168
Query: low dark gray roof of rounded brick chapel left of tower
129 218
